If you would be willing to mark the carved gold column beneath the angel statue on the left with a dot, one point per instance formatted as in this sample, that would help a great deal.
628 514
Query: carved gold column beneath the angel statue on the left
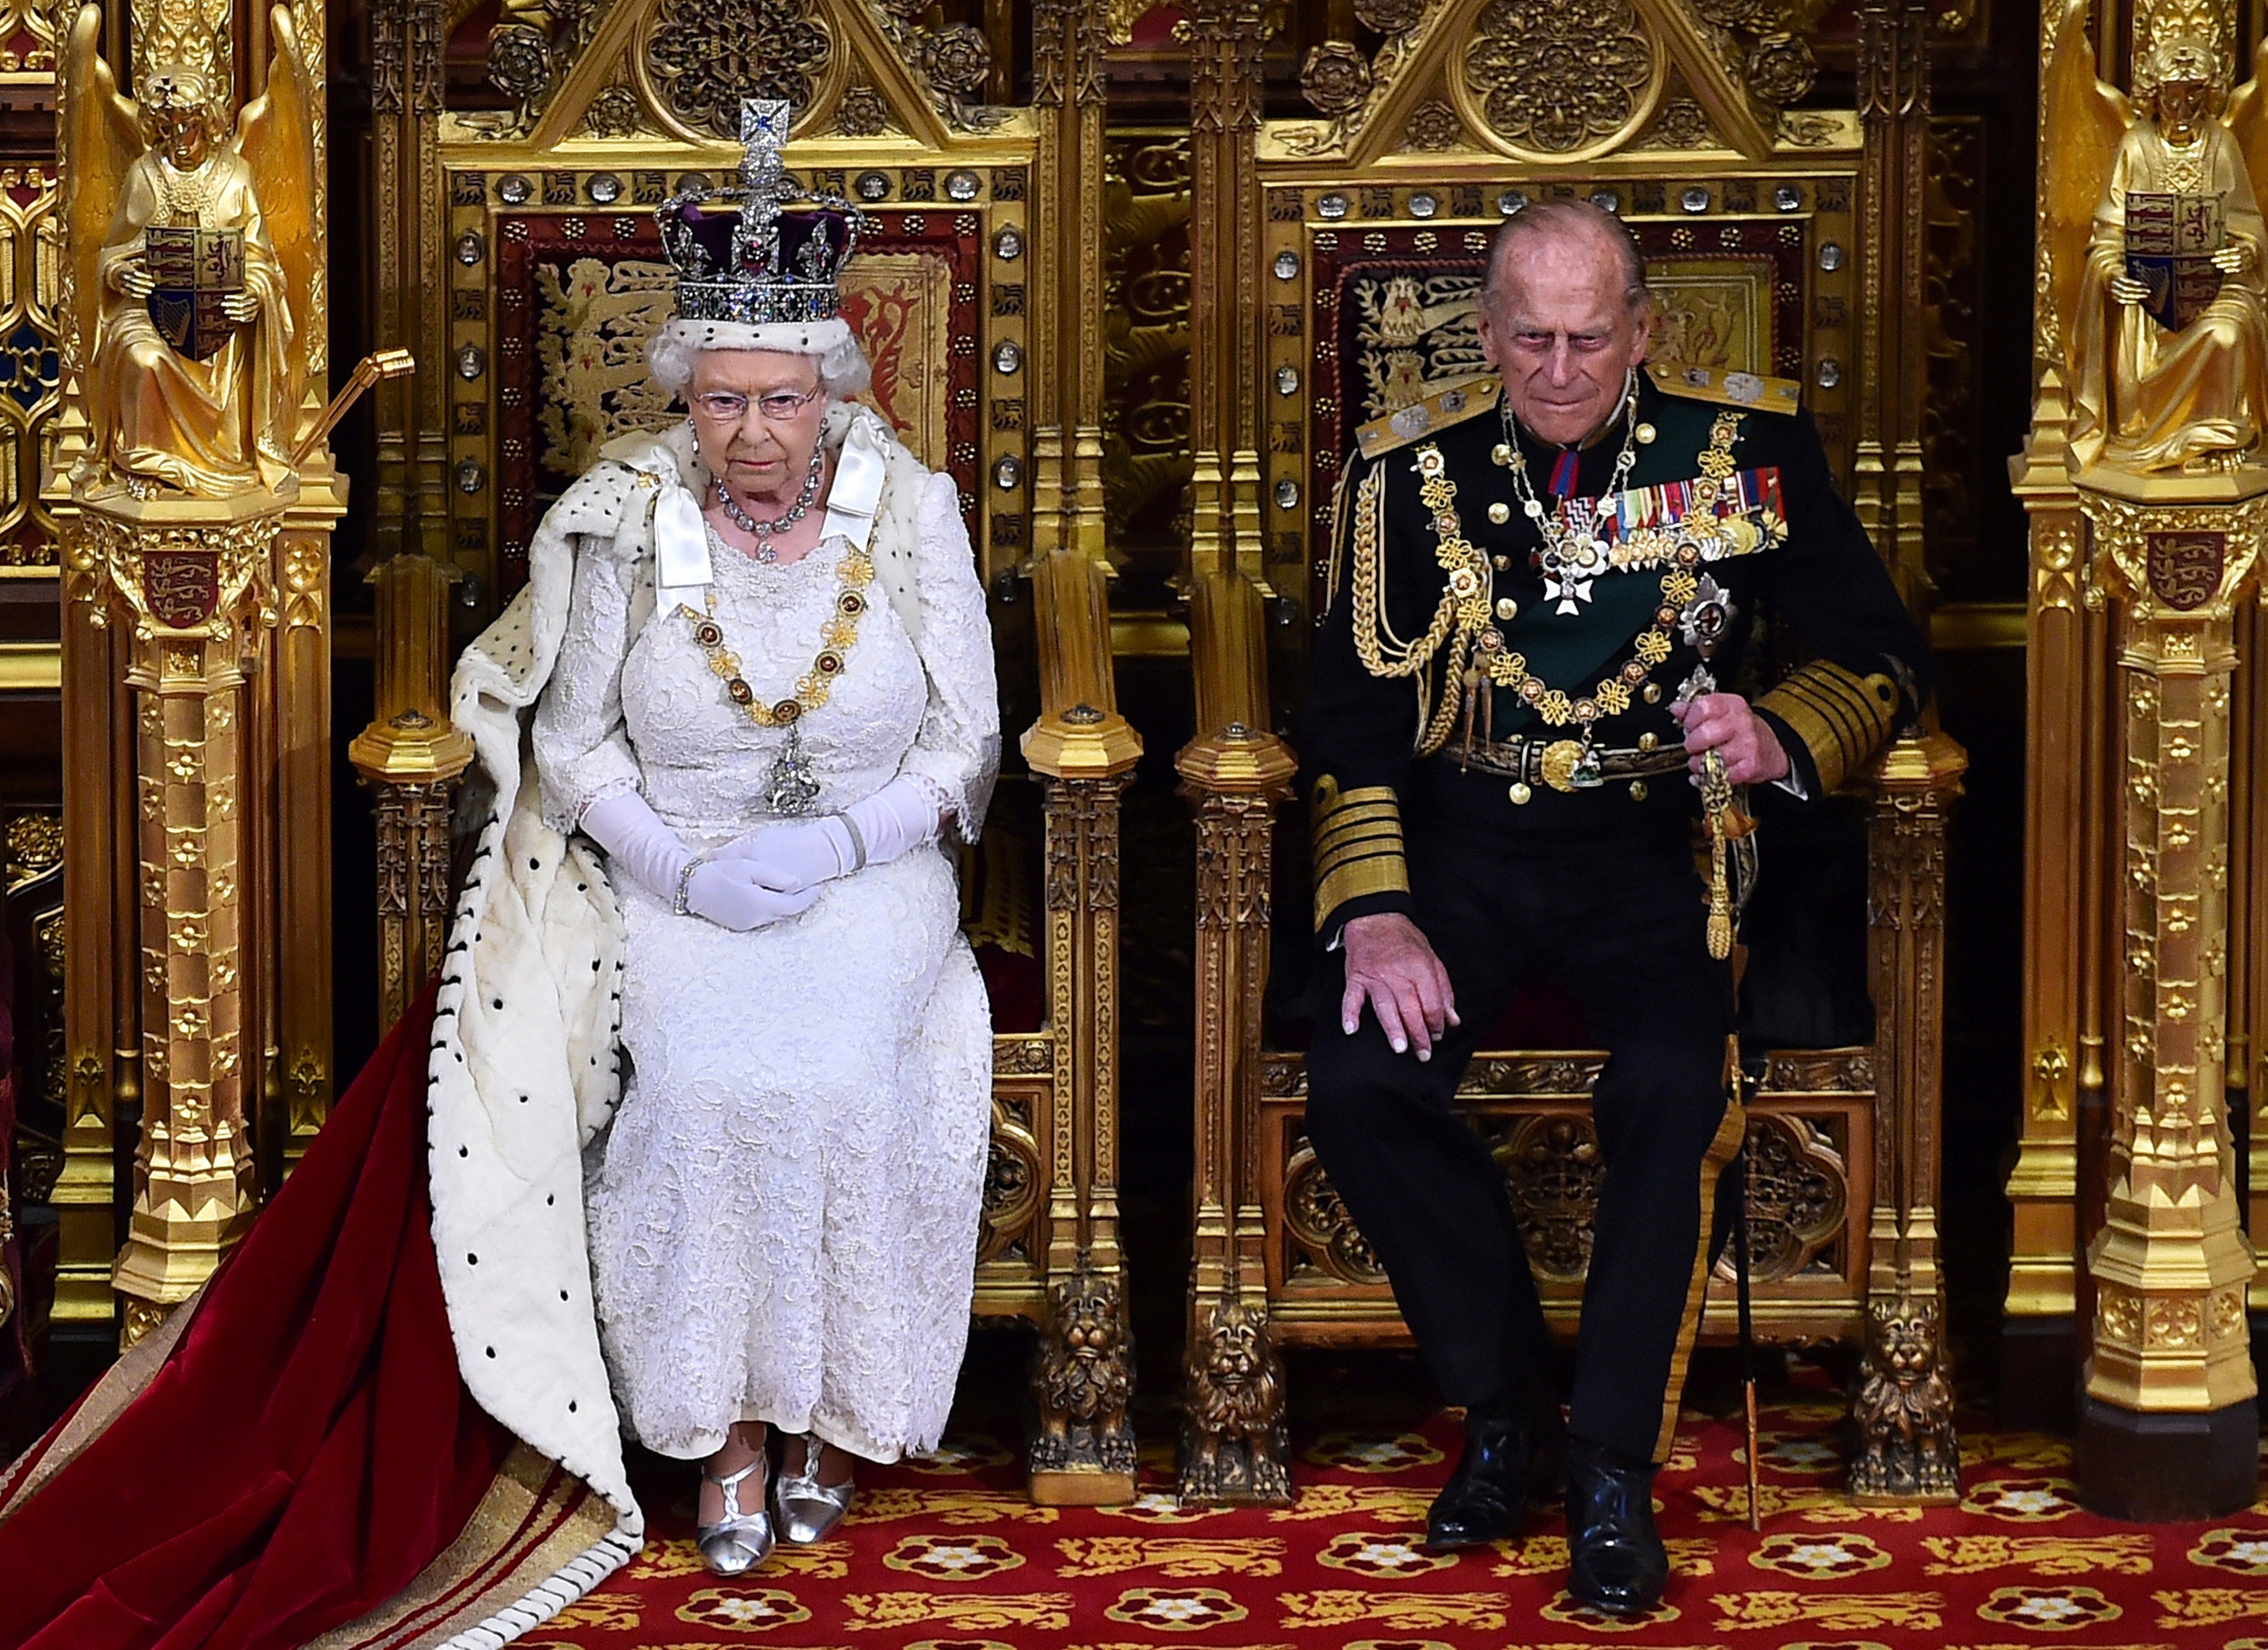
189 589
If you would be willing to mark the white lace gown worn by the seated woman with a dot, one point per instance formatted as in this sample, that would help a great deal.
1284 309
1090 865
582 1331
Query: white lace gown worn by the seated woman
784 1218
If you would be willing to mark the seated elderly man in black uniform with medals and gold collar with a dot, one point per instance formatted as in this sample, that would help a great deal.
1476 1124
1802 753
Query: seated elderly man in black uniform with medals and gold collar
1546 584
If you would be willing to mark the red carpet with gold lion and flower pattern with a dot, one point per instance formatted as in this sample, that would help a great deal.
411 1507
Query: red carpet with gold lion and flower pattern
949 1556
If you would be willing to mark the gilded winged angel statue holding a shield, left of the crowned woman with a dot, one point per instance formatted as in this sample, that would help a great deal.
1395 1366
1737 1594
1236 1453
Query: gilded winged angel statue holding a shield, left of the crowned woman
192 305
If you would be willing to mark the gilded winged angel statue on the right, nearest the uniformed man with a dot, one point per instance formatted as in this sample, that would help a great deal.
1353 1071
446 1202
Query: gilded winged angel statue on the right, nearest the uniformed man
2160 255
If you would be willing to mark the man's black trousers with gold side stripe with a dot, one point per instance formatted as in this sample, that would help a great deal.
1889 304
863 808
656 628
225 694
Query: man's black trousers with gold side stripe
1620 925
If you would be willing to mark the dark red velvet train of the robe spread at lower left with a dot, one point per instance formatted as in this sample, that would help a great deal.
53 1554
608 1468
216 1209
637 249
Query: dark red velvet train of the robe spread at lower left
305 1451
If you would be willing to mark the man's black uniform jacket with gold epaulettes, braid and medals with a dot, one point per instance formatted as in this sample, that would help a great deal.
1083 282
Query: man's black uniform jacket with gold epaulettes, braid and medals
1779 539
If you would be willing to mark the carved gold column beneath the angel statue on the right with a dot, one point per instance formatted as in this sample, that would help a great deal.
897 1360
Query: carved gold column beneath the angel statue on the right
2172 1422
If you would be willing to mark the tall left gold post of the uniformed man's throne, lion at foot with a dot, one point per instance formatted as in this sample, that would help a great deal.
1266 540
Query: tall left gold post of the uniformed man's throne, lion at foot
1237 771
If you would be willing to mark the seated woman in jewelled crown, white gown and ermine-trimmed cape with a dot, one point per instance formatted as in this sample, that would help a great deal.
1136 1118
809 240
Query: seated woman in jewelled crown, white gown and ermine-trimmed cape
754 675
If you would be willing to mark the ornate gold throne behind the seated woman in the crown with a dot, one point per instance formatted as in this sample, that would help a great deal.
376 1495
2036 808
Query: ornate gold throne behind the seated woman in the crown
530 285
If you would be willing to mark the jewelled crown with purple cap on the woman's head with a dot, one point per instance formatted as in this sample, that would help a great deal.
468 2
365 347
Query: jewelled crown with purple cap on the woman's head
763 251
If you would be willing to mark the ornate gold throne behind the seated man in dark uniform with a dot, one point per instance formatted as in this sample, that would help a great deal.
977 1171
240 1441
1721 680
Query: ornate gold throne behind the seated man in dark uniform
1360 242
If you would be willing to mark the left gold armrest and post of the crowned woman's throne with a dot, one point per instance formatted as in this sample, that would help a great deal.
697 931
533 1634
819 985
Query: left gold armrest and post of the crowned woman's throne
412 757
